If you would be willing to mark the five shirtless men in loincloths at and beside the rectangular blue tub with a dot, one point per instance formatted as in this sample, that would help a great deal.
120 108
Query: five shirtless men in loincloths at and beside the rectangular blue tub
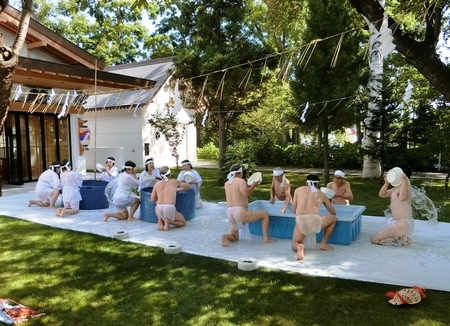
306 203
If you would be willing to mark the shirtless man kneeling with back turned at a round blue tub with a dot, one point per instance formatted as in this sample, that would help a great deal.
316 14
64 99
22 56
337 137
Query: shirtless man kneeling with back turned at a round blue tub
165 195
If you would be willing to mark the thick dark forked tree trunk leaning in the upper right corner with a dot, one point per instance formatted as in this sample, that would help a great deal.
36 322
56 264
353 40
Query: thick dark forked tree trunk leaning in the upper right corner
422 55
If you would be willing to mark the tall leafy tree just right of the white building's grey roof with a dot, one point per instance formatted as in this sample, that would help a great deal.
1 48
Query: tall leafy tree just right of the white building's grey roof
210 37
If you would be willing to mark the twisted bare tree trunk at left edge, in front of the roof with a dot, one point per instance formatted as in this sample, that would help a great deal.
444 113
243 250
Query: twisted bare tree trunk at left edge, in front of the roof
9 57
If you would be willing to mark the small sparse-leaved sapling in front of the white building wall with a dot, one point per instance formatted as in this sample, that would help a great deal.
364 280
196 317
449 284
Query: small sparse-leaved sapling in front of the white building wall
168 125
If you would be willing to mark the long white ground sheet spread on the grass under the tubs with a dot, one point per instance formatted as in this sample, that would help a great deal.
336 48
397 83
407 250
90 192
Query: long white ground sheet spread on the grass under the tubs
425 263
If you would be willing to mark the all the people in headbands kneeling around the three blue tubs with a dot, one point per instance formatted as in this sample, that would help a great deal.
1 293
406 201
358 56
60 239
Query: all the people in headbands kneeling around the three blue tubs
306 200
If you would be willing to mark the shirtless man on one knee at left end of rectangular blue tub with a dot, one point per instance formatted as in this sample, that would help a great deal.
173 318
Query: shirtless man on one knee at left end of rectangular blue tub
237 193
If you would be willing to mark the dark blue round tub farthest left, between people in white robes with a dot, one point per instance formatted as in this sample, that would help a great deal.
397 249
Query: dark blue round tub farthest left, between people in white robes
93 195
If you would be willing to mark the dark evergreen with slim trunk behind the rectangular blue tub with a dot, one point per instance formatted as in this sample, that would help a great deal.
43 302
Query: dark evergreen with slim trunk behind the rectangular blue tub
322 78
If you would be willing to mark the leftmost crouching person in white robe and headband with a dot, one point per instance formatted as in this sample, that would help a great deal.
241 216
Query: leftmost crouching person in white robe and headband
48 187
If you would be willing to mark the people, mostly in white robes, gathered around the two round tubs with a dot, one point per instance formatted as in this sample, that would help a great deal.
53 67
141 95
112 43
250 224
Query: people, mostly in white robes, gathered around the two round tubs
59 178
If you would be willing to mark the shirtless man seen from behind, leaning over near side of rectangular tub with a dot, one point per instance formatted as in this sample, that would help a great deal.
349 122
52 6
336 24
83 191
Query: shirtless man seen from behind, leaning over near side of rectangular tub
306 203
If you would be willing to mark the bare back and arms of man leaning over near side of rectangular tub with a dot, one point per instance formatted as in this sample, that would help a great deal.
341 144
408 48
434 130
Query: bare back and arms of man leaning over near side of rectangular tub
307 202
